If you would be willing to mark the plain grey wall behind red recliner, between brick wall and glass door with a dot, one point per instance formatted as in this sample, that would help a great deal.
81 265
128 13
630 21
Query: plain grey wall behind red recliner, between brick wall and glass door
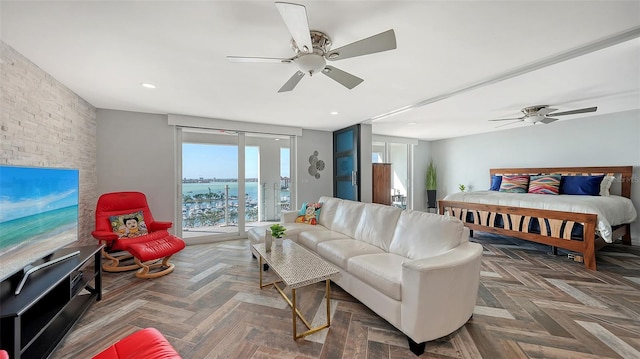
136 153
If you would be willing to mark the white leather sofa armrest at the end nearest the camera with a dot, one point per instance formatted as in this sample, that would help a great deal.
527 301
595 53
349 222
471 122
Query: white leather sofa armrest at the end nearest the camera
439 293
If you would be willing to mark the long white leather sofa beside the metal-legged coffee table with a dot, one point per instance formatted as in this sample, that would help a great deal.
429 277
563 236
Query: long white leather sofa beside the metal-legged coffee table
417 270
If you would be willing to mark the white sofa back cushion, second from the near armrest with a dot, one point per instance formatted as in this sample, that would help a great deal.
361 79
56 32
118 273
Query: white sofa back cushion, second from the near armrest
377 225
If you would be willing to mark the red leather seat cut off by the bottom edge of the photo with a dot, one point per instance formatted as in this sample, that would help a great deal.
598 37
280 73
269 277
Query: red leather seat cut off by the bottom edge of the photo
146 343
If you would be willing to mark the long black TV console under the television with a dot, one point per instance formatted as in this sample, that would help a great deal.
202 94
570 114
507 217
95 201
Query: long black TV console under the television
33 323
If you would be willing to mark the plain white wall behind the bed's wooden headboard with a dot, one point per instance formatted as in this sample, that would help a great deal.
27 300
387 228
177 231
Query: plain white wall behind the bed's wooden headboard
605 140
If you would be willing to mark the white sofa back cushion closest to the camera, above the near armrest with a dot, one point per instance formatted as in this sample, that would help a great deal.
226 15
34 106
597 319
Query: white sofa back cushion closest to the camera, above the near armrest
421 235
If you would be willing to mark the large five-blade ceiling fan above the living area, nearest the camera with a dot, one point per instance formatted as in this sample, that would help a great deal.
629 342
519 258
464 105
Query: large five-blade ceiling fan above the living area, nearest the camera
313 48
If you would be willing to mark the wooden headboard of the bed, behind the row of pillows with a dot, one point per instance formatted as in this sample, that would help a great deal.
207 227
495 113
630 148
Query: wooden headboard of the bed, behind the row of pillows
623 173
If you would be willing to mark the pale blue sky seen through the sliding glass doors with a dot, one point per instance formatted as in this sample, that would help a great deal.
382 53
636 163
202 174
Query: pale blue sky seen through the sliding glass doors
220 161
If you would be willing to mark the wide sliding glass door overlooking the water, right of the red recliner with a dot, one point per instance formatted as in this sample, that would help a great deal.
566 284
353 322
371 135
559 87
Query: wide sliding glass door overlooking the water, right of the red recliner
230 182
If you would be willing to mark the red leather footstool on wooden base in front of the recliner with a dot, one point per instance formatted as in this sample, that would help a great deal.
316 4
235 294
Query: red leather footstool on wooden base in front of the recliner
152 250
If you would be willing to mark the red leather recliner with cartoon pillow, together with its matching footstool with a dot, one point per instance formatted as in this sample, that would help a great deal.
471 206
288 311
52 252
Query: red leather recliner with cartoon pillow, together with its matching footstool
121 217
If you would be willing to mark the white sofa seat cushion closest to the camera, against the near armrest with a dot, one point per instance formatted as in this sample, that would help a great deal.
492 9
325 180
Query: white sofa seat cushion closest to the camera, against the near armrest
382 271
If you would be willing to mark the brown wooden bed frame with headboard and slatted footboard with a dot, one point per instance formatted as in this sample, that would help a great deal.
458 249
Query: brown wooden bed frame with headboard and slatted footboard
516 219
